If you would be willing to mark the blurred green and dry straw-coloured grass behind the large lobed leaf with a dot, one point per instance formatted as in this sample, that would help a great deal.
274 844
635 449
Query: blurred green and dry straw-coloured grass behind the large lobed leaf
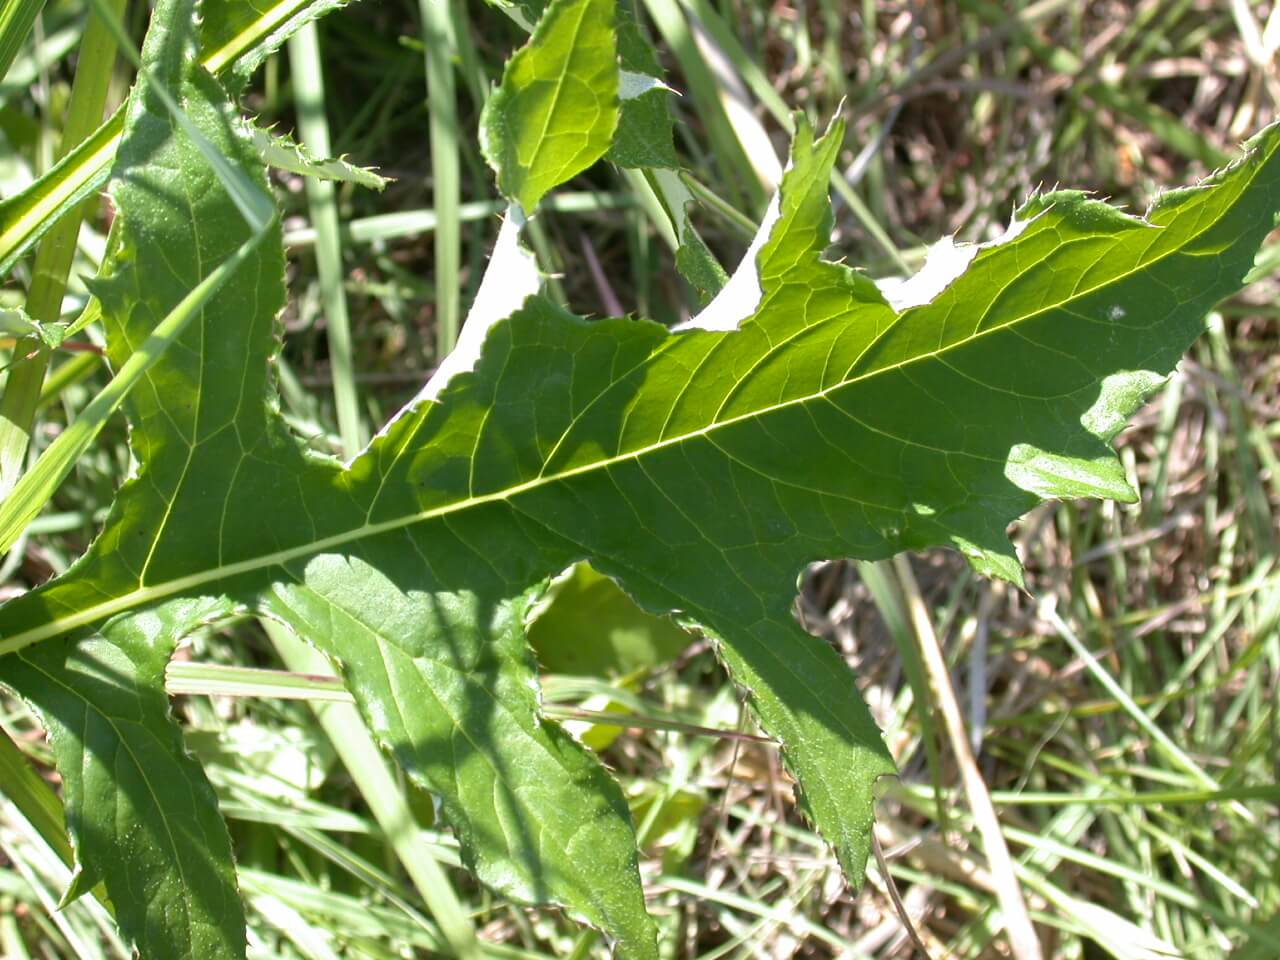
1142 813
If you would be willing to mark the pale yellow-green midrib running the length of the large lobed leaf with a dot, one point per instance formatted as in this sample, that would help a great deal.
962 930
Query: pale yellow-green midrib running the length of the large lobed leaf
148 595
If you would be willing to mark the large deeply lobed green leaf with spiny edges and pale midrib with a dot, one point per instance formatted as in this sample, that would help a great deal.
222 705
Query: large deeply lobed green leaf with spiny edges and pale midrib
803 417
